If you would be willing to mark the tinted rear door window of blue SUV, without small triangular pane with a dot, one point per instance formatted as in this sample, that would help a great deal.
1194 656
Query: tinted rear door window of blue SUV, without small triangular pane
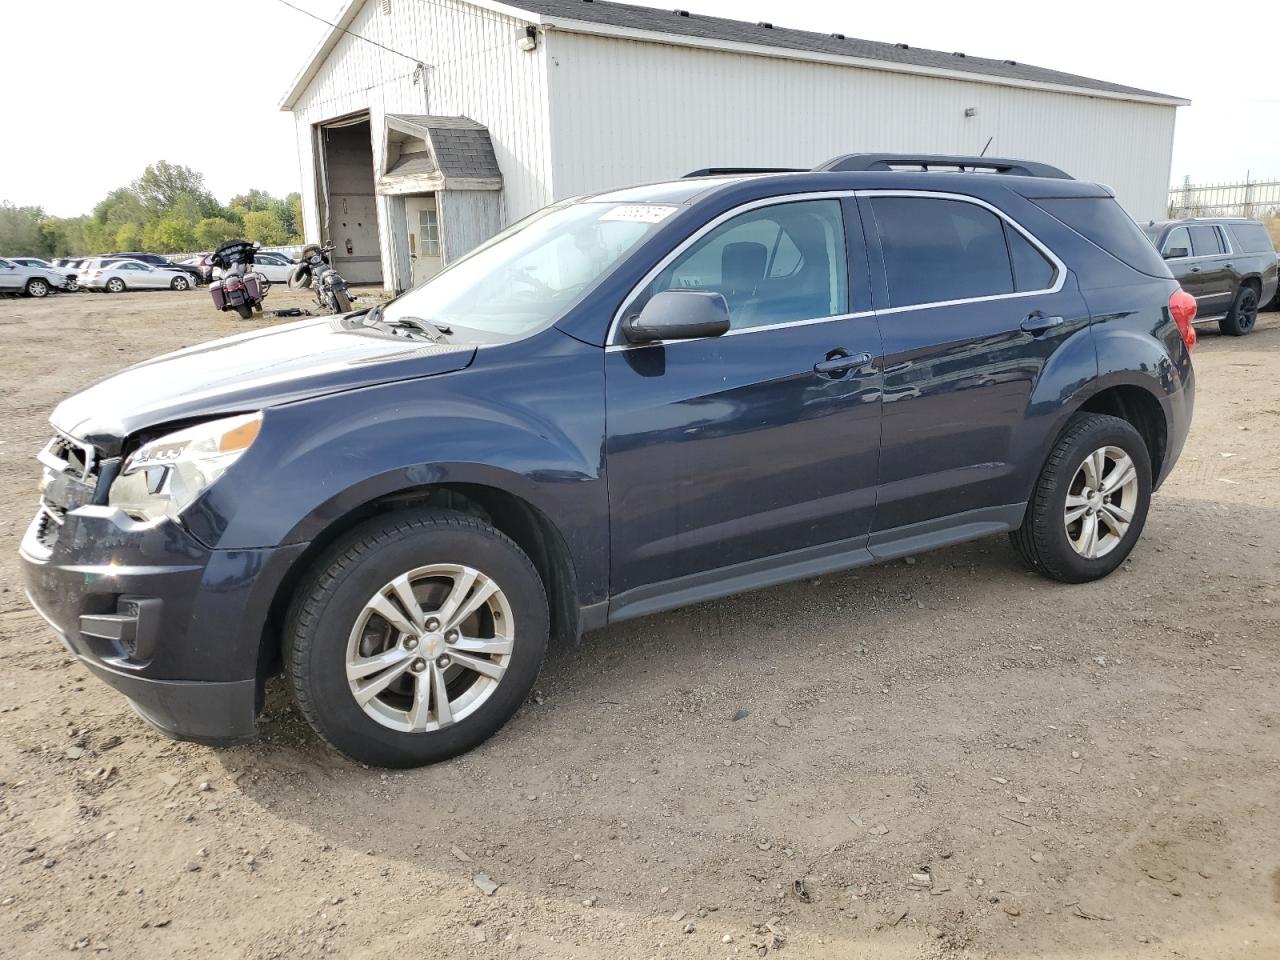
941 250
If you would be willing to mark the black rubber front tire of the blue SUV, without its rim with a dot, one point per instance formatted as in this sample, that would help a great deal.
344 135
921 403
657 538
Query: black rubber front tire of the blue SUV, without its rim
318 652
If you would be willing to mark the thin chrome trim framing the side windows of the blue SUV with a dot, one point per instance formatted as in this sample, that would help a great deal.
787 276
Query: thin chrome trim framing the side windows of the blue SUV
611 342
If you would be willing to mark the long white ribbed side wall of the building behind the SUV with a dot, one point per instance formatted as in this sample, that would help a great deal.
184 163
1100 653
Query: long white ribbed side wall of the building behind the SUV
625 112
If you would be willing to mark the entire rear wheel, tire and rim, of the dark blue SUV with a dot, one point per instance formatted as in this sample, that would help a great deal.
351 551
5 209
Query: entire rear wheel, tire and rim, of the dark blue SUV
1090 502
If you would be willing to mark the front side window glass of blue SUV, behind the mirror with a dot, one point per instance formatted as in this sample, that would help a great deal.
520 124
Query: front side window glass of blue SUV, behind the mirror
778 264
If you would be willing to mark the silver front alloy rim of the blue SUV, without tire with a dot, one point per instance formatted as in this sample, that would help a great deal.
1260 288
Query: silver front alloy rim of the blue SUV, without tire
431 648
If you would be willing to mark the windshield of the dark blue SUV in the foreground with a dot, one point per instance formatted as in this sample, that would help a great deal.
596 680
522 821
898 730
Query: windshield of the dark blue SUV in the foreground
527 277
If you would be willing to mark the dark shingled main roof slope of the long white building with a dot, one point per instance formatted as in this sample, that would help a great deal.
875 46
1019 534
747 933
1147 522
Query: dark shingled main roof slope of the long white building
683 24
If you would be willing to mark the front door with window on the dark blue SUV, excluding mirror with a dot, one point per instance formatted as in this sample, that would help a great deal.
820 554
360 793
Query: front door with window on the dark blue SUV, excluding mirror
733 458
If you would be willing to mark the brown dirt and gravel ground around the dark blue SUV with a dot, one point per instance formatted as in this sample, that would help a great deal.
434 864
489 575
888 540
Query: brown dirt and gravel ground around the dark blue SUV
945 757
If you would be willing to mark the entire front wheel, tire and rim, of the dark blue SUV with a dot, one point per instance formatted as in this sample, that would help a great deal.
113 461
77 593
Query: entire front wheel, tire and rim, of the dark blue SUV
415 638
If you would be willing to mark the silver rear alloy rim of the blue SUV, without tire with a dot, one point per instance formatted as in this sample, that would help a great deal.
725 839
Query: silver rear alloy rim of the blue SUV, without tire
1101 502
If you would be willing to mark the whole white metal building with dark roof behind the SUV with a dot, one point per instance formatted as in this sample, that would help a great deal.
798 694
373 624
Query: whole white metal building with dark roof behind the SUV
427 126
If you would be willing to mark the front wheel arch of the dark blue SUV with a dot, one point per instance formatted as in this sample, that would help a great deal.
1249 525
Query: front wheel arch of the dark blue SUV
509 513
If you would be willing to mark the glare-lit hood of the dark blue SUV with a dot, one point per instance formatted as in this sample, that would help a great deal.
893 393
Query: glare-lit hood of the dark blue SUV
264 368
